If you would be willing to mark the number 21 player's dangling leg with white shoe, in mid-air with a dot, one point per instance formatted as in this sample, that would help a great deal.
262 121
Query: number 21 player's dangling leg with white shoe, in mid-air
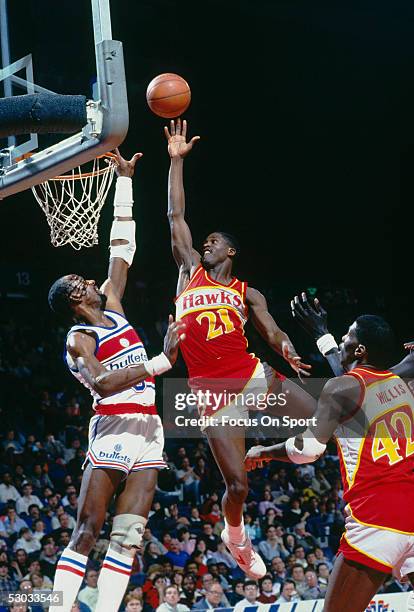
228 448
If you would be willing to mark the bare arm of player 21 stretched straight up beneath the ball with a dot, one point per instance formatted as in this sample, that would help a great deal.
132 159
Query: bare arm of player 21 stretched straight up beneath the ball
185 256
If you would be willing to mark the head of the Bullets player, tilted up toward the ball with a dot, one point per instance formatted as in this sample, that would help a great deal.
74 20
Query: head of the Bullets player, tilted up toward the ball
70 294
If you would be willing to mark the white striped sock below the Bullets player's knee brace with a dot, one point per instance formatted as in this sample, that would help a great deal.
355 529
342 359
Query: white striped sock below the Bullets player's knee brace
113 579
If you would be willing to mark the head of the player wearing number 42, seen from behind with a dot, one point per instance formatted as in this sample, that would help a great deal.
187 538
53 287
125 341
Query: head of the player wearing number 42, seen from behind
369 340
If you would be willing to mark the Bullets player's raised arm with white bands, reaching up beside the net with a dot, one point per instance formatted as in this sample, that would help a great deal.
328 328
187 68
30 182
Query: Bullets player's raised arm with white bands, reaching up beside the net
122 243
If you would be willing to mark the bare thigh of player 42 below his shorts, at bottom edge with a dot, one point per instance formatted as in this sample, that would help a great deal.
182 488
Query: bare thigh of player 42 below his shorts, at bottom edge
351 586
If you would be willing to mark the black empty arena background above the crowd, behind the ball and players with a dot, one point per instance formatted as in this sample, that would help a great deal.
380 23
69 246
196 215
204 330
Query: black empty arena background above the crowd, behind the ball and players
305 117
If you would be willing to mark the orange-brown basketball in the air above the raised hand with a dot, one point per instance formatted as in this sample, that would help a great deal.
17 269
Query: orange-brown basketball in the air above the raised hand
168 95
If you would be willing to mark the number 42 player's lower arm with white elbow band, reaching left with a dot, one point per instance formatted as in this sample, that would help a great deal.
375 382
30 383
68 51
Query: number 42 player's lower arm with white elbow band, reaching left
338 401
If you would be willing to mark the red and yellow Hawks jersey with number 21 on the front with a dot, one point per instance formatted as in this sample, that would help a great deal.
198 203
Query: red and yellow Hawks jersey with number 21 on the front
215 315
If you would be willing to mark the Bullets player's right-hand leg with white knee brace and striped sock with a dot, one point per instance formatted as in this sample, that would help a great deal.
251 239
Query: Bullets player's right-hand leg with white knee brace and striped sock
132 508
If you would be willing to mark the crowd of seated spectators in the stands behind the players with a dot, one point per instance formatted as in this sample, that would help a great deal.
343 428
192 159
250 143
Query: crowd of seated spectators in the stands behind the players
293 514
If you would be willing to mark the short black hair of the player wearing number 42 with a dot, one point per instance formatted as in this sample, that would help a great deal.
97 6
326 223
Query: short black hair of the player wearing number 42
378 338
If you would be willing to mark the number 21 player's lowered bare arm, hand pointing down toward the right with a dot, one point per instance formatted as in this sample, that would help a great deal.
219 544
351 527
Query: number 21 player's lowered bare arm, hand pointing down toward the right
276 338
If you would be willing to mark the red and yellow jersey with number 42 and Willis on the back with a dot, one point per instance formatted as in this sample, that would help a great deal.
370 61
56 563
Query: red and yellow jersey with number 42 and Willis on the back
376 449
